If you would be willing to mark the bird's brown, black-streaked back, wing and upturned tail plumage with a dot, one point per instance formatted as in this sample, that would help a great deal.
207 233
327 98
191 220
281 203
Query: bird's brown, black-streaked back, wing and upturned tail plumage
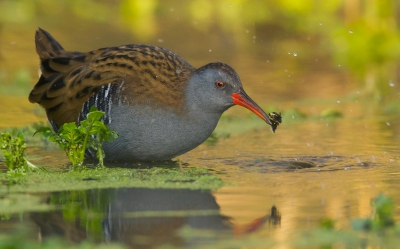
134 74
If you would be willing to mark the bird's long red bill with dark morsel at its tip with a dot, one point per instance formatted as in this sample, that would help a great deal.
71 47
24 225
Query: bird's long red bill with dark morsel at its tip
241 98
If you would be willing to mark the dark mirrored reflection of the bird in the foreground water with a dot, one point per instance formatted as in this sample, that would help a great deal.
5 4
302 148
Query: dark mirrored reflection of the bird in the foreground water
143 218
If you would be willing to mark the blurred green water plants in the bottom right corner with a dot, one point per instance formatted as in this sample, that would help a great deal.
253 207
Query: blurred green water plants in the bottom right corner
377 231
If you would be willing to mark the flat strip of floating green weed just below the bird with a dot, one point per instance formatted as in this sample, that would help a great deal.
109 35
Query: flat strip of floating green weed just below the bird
188 178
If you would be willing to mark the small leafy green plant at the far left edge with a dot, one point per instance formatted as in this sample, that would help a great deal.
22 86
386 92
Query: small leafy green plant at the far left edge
13 149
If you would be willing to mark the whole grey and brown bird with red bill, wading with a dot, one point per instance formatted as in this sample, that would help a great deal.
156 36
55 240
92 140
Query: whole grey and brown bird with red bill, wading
159 104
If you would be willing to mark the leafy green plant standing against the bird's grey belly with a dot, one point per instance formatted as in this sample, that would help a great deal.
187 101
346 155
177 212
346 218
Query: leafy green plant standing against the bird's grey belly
75 138
